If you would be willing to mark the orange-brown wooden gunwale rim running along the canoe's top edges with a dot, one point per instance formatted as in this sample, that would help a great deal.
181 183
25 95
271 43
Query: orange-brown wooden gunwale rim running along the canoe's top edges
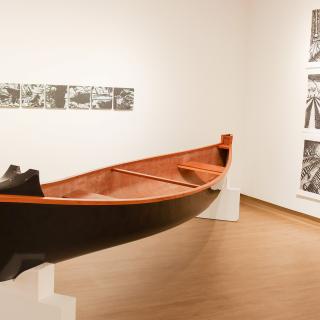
107 202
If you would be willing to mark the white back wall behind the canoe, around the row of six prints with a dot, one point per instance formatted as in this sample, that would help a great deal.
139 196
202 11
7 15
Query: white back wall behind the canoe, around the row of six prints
185 60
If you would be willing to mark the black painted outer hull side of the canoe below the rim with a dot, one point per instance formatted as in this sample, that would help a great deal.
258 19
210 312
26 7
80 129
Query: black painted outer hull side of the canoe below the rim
31 234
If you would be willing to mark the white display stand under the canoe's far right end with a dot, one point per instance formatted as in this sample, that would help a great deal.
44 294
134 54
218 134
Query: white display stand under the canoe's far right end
227 206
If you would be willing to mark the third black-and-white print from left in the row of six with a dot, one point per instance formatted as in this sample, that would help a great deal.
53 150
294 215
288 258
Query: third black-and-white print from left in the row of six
56 96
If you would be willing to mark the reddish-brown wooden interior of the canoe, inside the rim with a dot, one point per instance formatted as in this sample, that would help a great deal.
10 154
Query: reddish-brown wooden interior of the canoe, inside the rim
110 184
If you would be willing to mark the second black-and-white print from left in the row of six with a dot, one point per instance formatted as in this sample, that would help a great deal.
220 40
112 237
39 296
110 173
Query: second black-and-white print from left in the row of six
32 95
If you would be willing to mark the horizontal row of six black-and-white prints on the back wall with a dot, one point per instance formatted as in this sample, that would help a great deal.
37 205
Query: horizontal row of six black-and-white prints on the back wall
35 96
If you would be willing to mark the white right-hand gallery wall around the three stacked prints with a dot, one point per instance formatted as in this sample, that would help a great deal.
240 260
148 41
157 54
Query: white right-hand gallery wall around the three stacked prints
279 36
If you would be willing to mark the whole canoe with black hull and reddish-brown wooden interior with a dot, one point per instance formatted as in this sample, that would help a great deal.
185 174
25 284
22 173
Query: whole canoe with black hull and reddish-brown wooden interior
57 221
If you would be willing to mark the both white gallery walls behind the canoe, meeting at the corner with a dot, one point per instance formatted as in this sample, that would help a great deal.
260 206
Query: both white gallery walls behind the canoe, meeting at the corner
199 69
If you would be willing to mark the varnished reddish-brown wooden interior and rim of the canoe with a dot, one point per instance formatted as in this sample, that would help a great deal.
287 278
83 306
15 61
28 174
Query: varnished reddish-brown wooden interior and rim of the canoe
132 189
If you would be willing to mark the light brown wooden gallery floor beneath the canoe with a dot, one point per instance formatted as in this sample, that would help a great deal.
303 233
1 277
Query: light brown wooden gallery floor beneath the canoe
266 266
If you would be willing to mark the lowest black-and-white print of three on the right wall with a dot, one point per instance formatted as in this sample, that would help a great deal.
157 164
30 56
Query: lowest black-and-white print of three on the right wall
310 174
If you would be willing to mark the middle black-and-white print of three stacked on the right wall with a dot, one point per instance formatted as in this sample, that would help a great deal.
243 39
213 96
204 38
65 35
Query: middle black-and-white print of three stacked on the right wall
312 117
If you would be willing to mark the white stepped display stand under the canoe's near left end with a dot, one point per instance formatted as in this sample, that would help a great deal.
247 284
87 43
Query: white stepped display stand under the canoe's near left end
31 297
